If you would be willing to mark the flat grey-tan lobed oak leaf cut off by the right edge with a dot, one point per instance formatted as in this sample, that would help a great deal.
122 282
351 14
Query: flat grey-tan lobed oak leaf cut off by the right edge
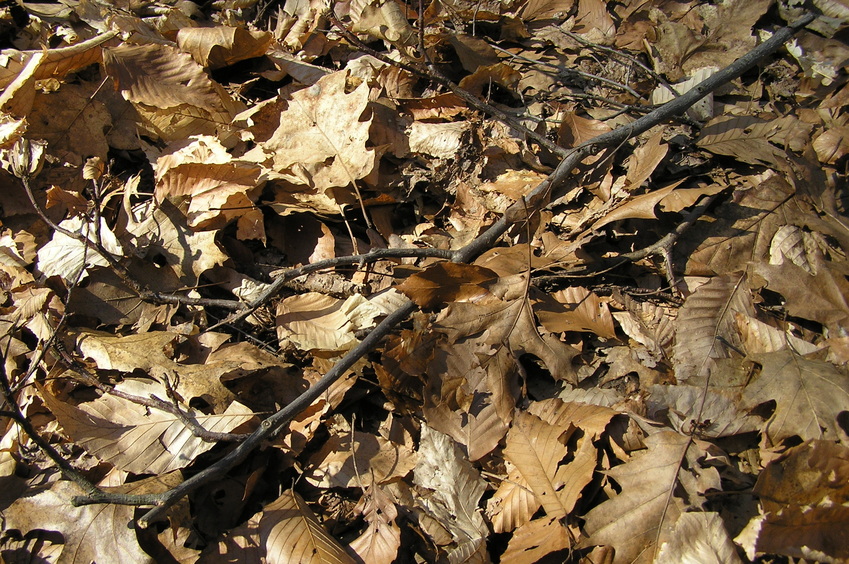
809 394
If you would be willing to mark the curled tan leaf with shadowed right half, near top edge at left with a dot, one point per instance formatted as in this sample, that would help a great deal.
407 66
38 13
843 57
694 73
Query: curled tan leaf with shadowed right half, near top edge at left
220 46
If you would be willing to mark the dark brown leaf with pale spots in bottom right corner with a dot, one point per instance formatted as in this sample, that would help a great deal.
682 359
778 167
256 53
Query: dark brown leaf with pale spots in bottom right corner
803 497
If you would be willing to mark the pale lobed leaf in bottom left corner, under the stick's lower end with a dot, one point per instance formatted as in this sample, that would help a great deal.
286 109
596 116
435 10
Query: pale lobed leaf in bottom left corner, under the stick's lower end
92 533
